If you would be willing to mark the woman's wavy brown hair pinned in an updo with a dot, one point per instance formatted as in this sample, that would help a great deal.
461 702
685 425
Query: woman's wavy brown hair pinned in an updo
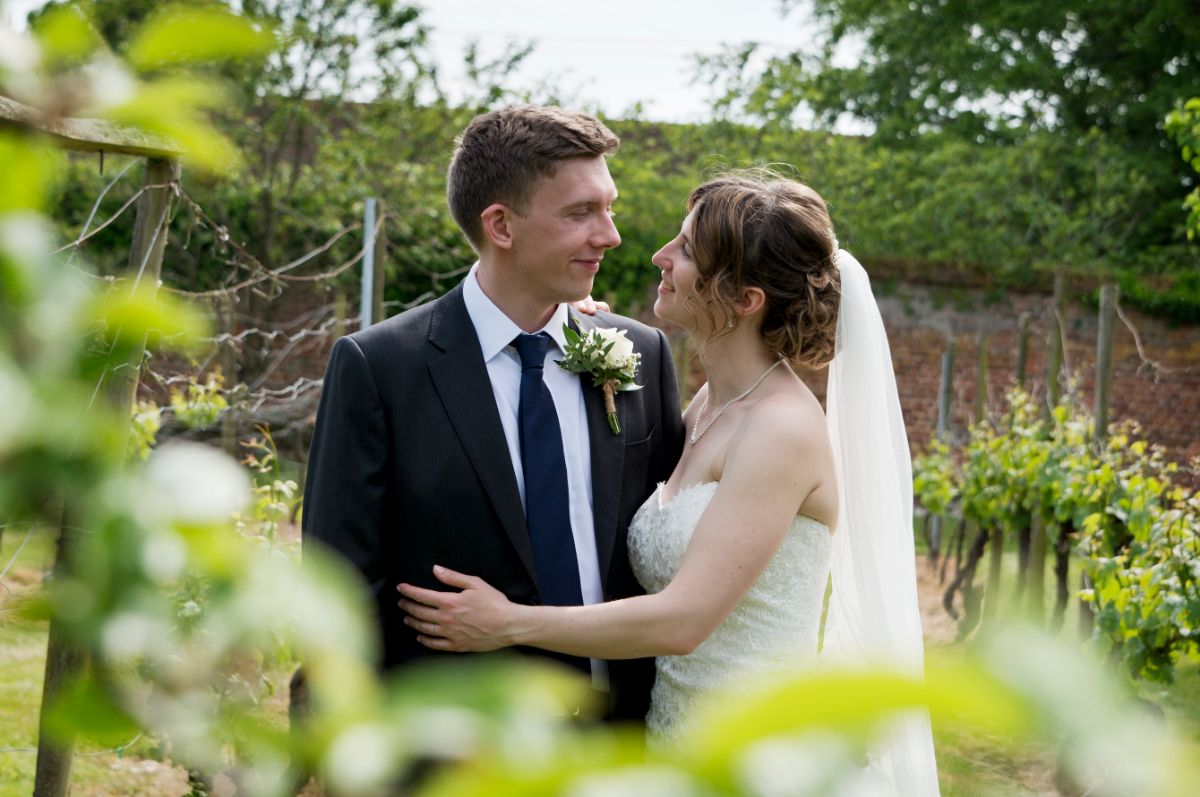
761 231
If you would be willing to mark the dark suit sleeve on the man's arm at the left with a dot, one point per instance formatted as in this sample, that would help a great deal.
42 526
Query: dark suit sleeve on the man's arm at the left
349 463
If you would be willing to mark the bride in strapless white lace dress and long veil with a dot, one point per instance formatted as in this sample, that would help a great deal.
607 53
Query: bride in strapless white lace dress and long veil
736 548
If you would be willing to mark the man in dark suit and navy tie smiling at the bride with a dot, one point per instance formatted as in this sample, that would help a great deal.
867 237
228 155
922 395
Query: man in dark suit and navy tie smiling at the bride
449 436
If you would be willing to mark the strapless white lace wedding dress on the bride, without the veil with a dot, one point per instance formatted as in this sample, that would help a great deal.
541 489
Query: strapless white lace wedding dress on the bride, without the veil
772 630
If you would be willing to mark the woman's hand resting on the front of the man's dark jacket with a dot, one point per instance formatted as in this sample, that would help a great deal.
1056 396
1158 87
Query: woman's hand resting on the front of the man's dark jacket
473 621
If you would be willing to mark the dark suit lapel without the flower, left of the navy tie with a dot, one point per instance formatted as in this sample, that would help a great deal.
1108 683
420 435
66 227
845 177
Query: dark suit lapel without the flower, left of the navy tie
461 380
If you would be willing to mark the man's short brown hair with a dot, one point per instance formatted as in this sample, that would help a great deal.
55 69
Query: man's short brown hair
503 154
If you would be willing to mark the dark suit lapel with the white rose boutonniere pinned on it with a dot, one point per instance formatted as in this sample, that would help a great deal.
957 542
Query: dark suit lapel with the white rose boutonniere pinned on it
608 459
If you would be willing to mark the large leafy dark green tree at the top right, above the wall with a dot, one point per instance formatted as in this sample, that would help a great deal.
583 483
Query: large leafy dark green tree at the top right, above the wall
1084 82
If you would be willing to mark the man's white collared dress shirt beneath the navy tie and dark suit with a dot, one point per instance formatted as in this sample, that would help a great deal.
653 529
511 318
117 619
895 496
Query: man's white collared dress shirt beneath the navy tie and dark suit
496 334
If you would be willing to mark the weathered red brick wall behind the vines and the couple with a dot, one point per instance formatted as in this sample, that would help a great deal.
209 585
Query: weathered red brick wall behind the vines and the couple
921 321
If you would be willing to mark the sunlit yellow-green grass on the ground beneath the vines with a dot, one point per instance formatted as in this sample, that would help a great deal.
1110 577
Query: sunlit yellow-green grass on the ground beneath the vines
971 764
